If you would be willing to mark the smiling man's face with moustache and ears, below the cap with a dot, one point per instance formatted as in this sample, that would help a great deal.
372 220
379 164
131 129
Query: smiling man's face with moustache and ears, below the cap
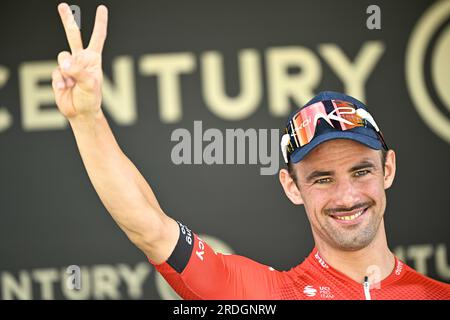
342 185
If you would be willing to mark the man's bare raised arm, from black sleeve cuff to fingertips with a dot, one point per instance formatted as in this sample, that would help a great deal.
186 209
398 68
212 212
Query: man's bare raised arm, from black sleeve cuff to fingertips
124 192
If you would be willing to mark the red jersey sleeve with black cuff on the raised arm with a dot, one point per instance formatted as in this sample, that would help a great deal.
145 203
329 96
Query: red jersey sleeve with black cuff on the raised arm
195 271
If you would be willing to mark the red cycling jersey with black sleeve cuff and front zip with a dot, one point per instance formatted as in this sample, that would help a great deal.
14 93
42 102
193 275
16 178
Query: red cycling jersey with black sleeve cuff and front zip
195 271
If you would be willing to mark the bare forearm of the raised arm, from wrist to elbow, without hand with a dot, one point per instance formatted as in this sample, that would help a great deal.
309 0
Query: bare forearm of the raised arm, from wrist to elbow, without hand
122 189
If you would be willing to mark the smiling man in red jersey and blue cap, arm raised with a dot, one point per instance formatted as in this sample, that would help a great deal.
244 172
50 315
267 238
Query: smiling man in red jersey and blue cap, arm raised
339 168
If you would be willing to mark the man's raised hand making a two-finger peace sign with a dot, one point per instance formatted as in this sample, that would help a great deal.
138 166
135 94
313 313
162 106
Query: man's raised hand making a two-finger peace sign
77 81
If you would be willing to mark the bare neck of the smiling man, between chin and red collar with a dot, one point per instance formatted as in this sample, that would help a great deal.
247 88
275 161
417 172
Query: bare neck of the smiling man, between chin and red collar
375 261
